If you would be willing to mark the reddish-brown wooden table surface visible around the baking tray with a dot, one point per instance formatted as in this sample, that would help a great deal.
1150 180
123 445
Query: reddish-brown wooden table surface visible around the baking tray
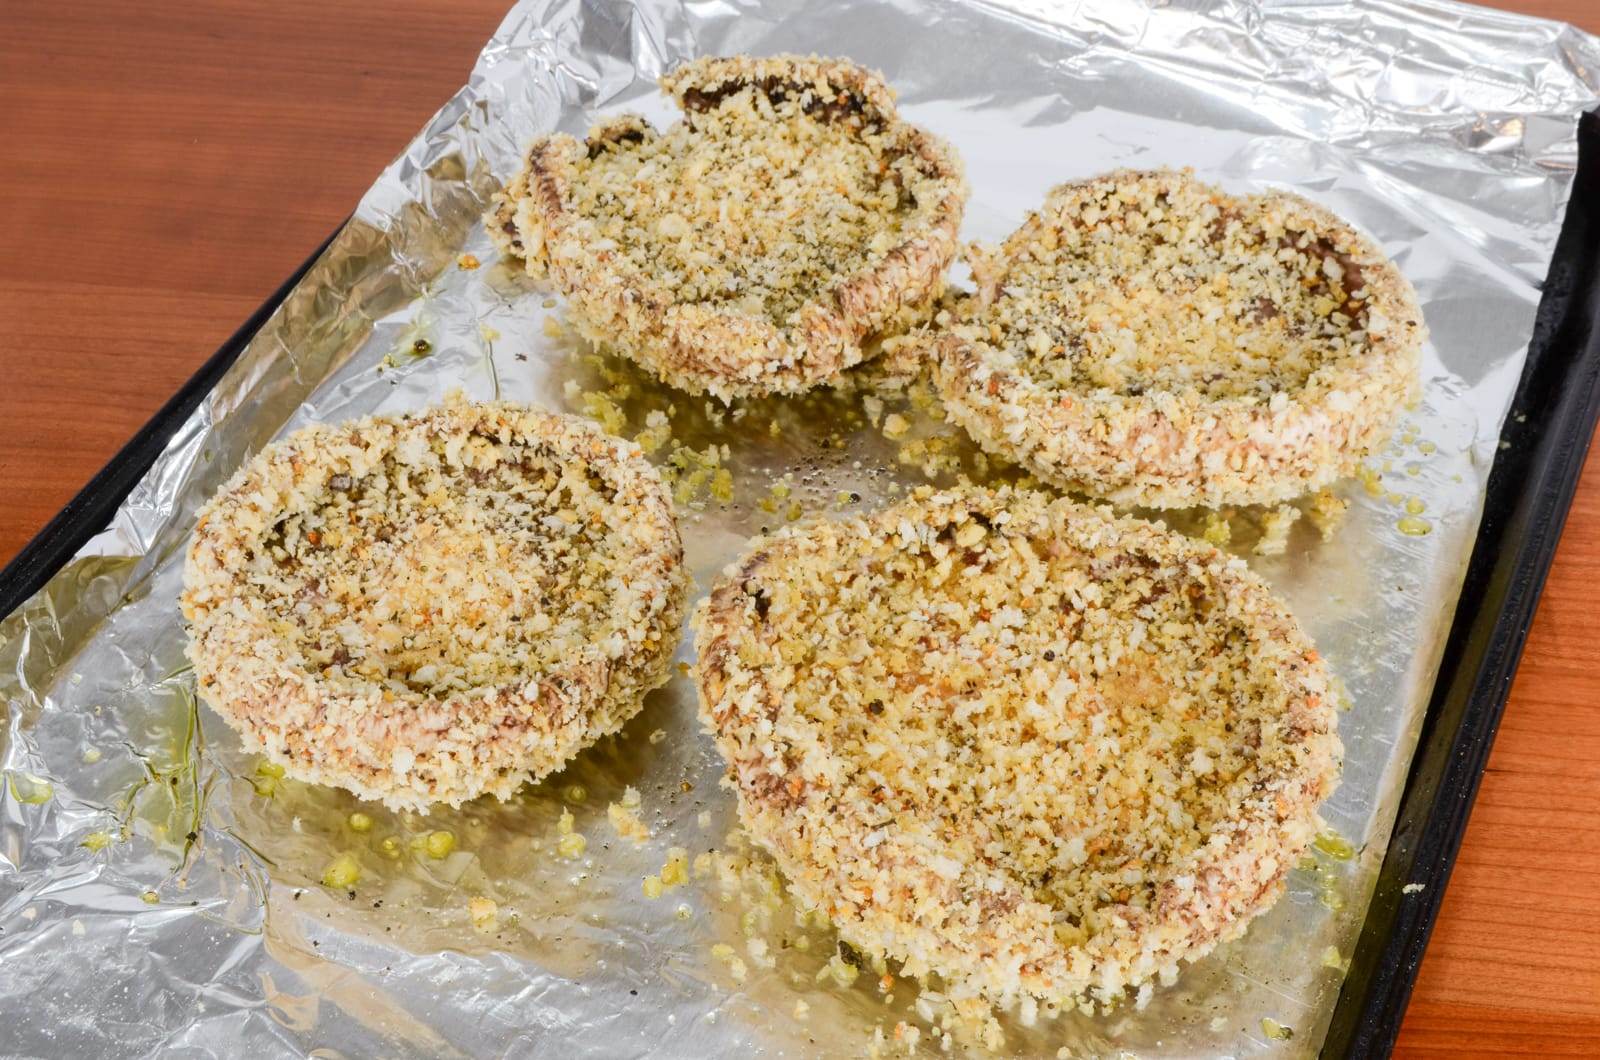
166 164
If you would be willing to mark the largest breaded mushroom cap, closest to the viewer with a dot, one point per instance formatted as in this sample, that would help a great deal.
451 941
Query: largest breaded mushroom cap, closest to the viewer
1017 741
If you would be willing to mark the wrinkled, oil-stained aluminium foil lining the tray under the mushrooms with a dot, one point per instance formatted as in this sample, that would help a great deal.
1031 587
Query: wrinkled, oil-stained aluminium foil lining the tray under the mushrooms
1444 130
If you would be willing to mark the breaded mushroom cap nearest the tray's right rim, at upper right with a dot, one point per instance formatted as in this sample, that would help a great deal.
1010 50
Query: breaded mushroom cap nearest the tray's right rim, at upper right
1153 340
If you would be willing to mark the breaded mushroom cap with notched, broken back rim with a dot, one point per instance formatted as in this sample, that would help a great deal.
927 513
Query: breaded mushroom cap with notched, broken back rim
758 244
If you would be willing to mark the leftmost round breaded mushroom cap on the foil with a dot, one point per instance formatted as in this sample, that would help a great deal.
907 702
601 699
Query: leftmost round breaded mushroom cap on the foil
434 606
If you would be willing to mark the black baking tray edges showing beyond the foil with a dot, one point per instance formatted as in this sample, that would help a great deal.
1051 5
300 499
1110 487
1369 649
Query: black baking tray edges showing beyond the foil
1530 489
